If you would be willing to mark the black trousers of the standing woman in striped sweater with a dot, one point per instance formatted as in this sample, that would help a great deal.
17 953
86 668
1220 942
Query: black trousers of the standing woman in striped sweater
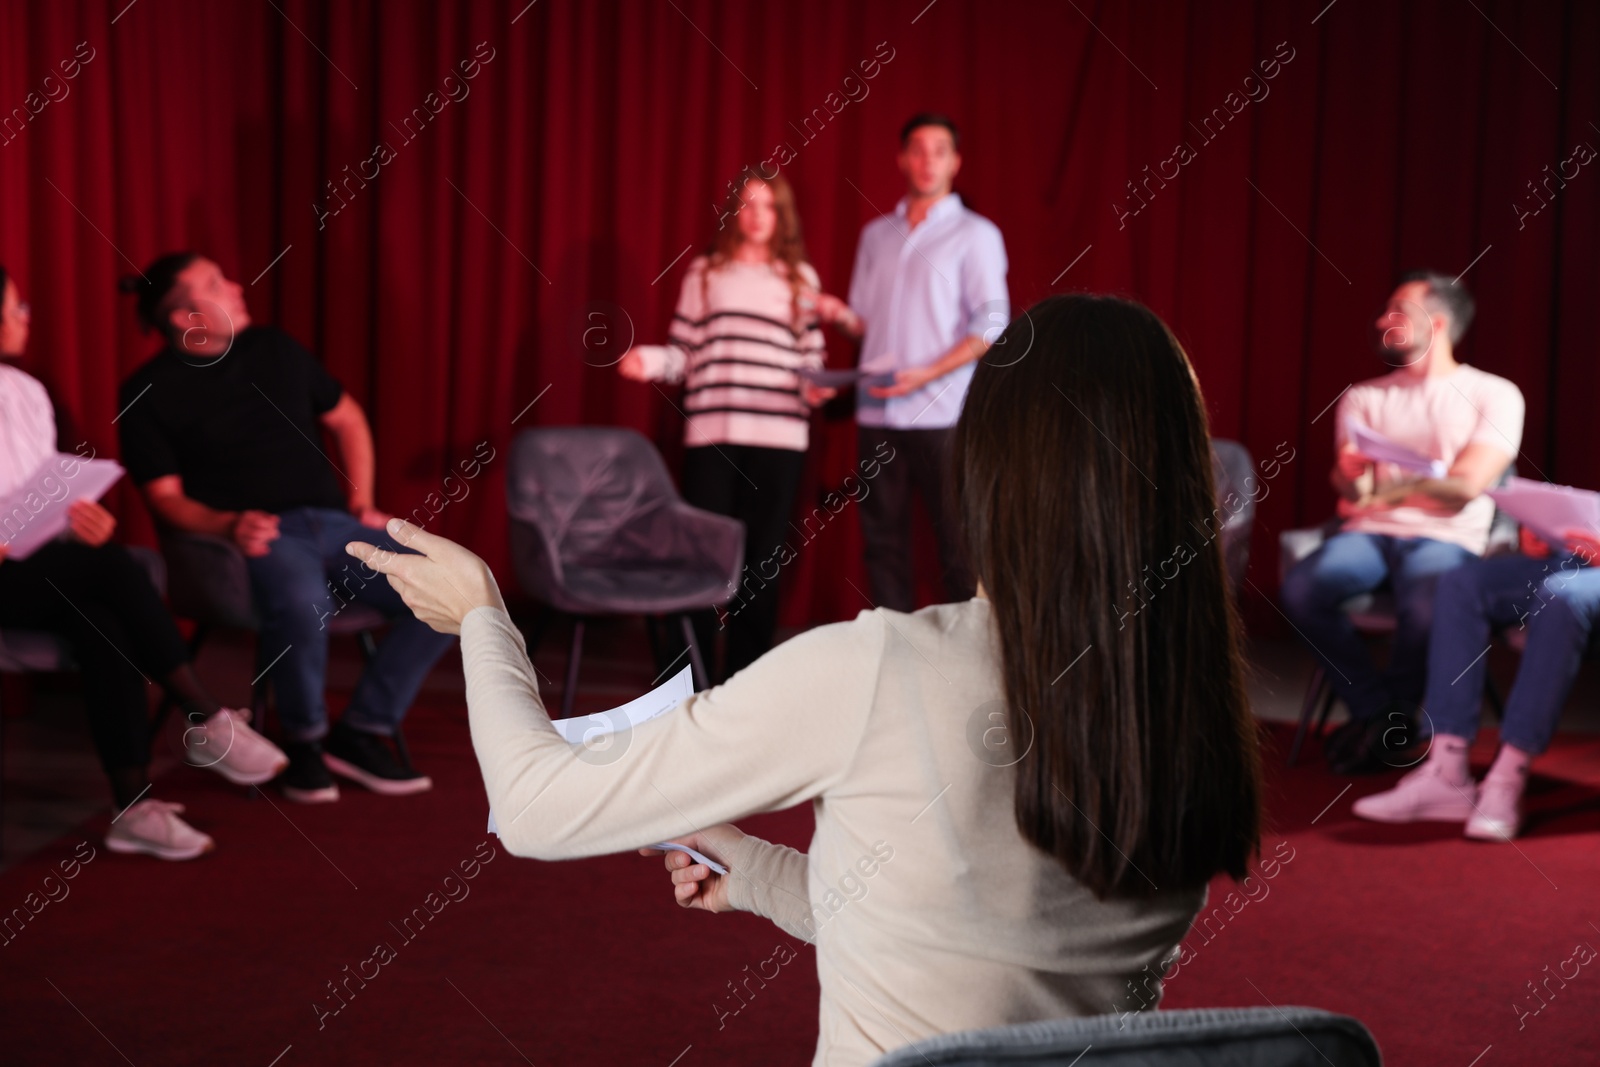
758 487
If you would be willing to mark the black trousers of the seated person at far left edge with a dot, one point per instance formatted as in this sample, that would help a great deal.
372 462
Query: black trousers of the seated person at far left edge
103 602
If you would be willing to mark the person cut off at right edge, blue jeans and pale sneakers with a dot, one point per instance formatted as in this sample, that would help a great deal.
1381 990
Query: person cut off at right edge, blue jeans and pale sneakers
1554 599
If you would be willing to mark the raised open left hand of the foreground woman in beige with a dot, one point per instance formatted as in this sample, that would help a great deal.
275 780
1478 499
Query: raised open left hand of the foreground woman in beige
442 585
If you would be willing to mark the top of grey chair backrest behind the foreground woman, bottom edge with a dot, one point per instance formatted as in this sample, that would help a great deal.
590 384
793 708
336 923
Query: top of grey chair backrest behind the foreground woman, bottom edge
1206 1037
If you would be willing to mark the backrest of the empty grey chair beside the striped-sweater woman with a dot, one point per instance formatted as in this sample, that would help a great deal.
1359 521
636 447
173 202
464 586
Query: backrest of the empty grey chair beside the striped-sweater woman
583 486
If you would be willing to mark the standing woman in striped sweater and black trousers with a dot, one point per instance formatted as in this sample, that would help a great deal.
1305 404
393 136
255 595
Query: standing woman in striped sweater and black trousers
750 319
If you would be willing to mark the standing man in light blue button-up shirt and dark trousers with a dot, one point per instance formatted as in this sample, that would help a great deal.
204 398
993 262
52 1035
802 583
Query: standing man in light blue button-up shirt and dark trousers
929 297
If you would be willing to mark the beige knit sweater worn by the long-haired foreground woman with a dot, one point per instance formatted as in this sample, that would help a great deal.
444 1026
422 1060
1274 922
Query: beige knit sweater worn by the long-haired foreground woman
929 909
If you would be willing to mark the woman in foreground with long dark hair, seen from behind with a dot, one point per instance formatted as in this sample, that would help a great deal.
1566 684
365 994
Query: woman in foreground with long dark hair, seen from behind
1004 901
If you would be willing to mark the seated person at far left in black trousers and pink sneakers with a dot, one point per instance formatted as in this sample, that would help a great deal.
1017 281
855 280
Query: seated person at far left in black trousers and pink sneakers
89 589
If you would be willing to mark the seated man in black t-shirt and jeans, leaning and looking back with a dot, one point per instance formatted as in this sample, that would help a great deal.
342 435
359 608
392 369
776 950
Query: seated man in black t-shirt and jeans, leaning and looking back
222 433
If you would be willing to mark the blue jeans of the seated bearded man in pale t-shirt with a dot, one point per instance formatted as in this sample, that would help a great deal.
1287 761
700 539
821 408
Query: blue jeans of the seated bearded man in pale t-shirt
1353 564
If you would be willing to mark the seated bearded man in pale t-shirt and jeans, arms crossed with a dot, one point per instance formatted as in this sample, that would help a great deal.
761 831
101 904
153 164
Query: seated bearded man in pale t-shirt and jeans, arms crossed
1402 527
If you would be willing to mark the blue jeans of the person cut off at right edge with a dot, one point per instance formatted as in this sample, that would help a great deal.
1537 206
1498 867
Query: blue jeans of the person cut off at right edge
1556 601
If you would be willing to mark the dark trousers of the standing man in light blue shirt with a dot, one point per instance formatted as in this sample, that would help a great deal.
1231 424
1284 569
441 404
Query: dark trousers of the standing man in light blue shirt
910 462
